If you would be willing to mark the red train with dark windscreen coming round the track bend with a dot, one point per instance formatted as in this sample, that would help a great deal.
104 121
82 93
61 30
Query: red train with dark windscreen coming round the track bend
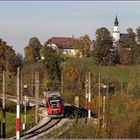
54 104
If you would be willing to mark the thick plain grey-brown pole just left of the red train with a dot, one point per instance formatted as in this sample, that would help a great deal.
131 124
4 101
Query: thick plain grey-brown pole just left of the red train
36 96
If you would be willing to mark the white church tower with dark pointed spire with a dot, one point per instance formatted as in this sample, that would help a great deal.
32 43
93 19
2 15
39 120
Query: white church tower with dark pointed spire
116 32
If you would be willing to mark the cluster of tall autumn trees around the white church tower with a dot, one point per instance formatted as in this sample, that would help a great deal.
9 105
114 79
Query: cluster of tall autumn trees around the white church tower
128 50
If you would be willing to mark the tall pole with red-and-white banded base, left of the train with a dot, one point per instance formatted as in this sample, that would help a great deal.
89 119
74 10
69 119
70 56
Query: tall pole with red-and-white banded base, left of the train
18 106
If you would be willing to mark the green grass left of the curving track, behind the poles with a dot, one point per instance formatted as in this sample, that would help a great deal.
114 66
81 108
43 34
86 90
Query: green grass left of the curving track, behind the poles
11 119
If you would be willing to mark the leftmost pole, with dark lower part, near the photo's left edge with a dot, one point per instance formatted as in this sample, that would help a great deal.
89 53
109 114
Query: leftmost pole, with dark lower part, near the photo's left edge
3 109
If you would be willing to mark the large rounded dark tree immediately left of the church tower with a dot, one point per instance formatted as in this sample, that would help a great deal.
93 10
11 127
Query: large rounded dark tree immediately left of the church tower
103 46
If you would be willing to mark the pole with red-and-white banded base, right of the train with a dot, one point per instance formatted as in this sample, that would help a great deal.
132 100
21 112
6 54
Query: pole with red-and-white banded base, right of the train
89 98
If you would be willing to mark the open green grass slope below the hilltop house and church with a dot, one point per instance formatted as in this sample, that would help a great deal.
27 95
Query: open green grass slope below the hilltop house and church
118 72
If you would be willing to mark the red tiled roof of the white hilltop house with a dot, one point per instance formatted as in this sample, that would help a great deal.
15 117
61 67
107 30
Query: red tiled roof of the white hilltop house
64 42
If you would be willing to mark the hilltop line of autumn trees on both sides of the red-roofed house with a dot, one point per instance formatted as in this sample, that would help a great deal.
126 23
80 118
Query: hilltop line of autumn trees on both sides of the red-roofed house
102 50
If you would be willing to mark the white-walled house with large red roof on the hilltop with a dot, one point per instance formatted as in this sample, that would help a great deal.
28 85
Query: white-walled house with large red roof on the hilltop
66 45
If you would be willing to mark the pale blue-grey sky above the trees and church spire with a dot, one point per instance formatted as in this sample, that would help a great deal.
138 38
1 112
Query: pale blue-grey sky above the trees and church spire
22 20
